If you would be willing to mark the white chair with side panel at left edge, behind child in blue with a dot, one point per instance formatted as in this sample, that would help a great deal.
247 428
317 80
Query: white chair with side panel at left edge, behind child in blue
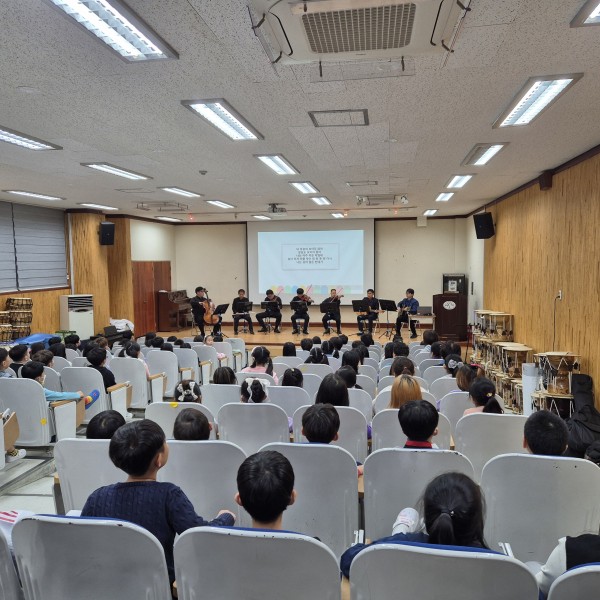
38 419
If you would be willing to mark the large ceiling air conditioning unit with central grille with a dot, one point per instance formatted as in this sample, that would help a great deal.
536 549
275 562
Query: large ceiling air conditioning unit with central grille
299 31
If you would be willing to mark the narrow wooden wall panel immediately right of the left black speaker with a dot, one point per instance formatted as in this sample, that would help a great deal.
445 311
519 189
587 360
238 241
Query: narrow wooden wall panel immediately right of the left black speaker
120 272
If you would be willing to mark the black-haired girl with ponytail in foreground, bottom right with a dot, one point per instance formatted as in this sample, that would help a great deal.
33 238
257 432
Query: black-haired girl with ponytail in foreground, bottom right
453 511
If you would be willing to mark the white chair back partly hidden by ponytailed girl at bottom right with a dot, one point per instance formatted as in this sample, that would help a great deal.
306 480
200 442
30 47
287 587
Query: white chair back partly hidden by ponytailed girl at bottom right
395 478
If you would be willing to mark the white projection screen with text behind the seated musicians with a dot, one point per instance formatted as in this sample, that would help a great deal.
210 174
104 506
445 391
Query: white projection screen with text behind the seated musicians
314 255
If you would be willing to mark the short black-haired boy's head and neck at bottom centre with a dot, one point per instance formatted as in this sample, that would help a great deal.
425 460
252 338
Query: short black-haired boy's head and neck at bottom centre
266 488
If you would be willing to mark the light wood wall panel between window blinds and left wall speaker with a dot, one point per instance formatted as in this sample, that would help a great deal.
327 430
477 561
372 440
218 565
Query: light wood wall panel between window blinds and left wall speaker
90 265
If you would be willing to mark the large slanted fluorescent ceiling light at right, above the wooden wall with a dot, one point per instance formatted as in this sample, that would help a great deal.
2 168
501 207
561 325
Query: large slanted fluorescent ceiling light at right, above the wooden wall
535 96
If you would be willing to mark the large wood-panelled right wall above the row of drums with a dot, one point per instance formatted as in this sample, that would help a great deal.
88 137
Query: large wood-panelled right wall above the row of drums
547 241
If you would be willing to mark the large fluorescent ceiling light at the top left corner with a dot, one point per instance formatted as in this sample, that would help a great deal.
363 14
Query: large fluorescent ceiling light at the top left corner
113 22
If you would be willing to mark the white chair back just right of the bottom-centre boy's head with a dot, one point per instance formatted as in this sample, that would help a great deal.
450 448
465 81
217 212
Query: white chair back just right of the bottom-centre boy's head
320 467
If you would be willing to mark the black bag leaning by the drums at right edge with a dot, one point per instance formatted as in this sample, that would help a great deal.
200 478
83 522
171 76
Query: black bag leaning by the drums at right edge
584 425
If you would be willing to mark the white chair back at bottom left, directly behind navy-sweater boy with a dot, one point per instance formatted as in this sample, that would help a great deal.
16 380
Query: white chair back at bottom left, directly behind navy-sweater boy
124 560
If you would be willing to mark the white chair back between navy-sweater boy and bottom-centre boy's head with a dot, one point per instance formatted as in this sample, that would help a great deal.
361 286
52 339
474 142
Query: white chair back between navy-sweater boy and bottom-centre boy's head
206 472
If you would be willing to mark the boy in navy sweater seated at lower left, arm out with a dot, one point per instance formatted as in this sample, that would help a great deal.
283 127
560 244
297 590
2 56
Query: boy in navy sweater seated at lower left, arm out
140 449
